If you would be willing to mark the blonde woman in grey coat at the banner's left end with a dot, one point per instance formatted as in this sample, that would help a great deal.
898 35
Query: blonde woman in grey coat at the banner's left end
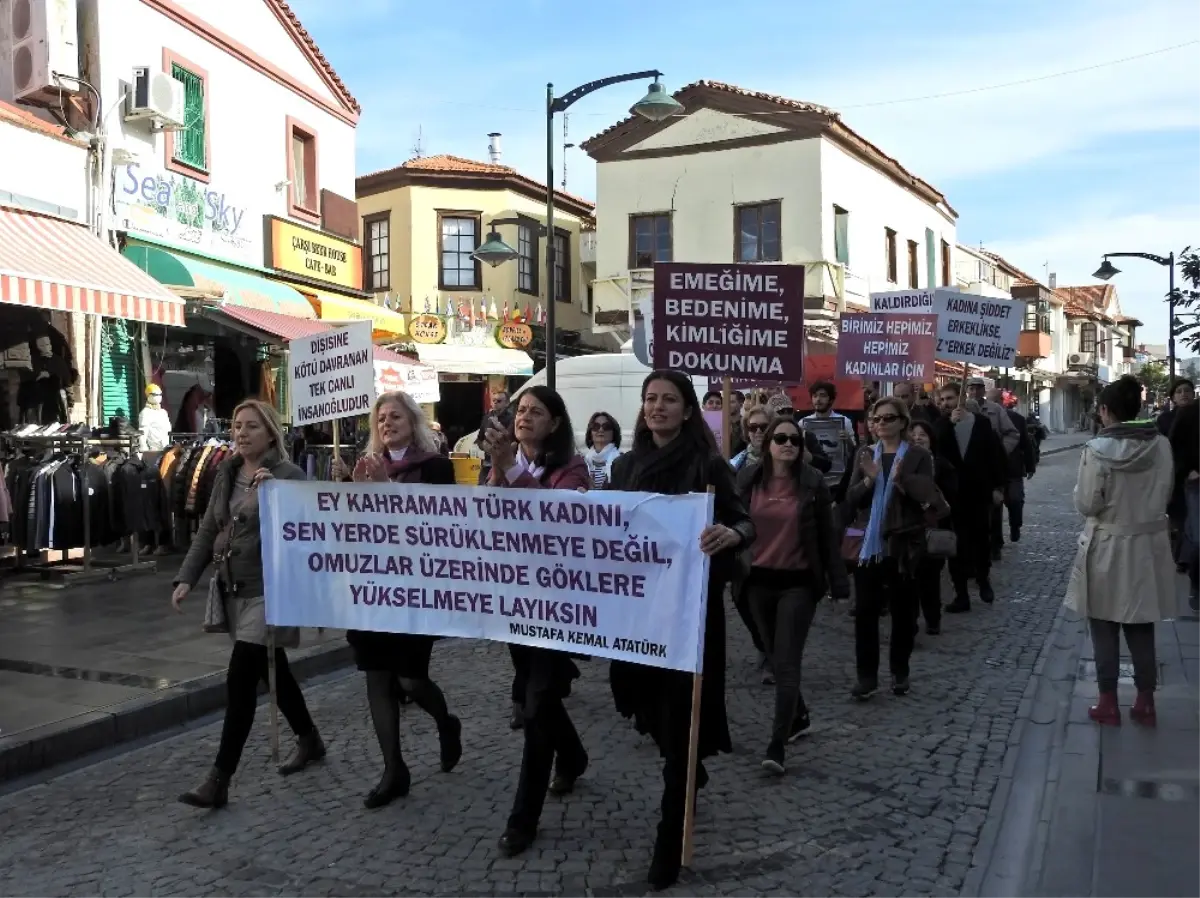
230 540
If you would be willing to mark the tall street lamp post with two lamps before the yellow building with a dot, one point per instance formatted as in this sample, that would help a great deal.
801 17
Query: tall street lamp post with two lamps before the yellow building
656 106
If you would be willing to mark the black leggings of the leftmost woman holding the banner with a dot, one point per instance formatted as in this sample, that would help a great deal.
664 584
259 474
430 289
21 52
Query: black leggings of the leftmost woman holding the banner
248 669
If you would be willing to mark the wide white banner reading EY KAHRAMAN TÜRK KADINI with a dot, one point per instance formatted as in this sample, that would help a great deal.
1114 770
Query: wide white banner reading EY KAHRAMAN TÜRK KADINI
611 574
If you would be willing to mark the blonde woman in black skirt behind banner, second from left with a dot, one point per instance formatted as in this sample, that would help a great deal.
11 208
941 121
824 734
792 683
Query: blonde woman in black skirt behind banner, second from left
403 450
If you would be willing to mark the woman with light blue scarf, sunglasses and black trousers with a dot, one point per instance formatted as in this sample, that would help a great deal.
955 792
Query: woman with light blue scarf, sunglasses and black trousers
896 481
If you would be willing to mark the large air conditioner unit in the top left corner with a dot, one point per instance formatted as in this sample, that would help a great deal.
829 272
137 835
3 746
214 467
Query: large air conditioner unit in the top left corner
43 41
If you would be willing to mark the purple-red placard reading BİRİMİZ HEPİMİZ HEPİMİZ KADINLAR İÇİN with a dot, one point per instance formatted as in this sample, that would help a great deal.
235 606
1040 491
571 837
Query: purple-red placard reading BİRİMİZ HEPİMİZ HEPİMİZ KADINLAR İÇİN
887 348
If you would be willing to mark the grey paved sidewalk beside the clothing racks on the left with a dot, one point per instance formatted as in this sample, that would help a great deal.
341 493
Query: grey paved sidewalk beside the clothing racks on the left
87 667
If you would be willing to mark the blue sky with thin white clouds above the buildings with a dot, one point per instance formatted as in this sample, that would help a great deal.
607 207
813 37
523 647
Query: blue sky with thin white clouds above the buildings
1057 171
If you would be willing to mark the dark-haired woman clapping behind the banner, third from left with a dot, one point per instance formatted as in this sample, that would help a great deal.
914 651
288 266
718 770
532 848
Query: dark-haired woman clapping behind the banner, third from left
539 454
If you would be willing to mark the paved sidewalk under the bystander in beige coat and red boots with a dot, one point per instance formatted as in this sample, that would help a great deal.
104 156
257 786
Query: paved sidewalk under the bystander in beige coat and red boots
1105 812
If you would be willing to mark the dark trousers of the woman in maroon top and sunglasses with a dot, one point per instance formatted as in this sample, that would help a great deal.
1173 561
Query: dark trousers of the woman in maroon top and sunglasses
784 606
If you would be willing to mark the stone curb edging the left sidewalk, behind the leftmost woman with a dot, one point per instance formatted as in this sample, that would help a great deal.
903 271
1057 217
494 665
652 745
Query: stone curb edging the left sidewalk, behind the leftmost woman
61 743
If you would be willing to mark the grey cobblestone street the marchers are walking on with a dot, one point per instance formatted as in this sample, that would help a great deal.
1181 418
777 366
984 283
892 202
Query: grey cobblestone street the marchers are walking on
885 799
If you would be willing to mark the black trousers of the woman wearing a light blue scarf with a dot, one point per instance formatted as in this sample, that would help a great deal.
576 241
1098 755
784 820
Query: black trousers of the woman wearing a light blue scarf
879 585
